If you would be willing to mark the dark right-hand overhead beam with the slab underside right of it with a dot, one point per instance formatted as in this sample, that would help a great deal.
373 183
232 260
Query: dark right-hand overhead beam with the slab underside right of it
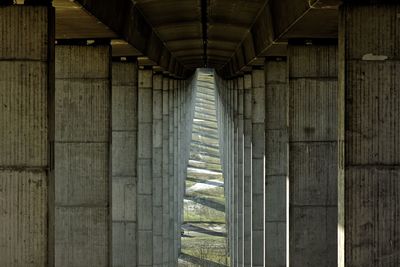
279 21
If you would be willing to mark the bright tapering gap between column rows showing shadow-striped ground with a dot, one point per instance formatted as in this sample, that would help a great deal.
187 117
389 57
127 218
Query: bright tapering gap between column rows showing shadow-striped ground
203 232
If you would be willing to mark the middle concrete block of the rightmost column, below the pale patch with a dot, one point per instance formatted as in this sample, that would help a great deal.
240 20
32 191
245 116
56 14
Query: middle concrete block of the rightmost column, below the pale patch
372 113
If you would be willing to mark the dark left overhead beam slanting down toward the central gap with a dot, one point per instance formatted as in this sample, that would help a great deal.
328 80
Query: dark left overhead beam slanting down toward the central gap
124 18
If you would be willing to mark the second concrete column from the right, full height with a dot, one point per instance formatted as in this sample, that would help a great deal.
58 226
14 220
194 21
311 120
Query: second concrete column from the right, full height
313 154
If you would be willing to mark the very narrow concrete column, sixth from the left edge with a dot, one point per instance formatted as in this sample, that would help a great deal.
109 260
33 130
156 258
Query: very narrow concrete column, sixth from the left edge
165 172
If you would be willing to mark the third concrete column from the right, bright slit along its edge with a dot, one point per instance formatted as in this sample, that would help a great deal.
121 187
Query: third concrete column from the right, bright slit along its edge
277 162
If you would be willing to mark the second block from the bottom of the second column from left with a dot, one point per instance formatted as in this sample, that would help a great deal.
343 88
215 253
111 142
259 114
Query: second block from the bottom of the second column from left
81 174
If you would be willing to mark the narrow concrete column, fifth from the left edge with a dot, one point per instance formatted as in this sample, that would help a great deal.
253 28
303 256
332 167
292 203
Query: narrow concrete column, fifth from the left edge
157 170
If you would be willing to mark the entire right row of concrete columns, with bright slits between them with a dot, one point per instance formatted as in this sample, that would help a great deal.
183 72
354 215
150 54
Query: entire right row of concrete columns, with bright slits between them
314 151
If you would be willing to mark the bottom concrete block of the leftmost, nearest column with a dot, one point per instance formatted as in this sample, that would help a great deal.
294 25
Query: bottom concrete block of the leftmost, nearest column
23 218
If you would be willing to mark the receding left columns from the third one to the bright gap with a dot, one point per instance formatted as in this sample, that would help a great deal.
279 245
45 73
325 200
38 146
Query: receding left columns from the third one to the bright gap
162 112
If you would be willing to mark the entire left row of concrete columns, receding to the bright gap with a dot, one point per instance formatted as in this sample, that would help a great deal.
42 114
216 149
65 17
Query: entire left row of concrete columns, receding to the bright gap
90 172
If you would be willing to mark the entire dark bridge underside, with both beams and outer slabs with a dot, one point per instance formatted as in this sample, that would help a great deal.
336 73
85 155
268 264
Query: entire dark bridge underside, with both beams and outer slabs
169 33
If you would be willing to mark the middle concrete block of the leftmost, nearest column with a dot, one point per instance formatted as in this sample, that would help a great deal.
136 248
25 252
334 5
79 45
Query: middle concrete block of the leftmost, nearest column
23 113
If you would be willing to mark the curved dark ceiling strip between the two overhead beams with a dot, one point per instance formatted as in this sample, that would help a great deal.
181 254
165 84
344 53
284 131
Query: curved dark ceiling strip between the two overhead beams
179 25
